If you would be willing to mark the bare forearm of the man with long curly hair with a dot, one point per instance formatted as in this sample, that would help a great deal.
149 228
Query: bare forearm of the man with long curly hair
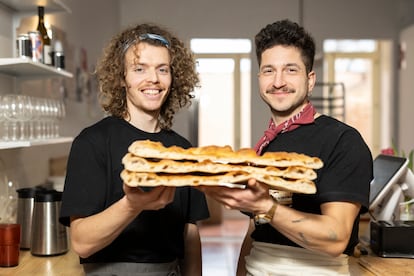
91 234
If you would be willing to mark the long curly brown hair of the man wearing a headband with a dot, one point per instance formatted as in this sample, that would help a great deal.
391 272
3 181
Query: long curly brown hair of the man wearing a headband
110 72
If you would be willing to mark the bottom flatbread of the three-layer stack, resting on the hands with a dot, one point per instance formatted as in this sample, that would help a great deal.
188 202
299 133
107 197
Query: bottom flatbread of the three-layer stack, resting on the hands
135 179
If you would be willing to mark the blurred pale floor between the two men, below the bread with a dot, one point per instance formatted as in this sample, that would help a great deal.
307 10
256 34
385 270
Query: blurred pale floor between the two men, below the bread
221 246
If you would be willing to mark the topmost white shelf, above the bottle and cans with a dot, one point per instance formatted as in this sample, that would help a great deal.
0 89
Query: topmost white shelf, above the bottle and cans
30 6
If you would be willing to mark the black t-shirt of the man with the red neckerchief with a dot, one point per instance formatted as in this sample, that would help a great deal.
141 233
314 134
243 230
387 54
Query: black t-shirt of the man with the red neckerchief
345 176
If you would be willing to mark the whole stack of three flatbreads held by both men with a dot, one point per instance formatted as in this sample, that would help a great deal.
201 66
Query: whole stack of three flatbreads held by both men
149 163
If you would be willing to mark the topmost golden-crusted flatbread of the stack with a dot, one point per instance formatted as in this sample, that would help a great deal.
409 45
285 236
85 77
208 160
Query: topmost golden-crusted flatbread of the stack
223 154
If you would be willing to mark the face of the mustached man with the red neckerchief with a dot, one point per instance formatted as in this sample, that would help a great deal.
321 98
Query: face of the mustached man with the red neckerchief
283 81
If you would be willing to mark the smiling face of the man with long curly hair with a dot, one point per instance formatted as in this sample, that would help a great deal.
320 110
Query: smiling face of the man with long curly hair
147 79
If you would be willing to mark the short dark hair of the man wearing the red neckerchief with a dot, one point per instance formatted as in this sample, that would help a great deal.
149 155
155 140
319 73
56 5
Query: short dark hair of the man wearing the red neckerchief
286 33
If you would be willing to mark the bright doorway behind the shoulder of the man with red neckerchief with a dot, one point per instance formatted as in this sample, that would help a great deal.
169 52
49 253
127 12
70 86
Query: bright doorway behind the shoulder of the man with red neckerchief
357 65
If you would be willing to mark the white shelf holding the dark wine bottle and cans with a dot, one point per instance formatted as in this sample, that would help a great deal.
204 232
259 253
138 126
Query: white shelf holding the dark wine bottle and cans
26 68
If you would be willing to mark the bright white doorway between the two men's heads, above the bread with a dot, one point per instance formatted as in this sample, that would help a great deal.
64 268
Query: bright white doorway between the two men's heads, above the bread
222 103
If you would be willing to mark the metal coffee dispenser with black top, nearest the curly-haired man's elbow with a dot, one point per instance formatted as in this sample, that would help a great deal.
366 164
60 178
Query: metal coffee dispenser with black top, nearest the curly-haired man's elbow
49 237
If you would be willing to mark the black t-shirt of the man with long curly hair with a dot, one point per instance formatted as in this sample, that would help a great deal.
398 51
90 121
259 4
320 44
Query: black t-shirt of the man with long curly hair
93 183
